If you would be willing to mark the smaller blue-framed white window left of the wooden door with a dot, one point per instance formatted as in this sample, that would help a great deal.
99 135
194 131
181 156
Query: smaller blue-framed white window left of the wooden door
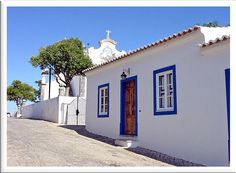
103 100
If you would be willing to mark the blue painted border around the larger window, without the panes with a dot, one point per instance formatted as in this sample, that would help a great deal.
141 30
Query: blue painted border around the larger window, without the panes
155 72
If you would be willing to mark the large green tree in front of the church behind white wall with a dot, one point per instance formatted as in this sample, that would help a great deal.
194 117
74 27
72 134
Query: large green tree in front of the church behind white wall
66 58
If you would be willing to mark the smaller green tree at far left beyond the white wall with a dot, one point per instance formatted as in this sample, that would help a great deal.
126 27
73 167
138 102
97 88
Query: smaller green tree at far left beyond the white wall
20 92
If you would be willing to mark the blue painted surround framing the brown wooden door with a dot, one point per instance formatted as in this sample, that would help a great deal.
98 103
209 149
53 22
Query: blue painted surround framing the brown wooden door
122 104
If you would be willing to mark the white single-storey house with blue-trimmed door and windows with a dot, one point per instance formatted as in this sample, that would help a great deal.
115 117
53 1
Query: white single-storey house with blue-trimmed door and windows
173 97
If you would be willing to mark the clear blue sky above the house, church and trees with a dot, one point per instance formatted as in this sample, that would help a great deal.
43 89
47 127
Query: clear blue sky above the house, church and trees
30 28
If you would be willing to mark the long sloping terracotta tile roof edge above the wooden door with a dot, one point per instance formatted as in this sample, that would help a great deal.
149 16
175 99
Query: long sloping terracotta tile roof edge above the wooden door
157 43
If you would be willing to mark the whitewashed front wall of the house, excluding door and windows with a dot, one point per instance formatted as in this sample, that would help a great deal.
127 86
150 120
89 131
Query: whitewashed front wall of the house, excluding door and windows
198 132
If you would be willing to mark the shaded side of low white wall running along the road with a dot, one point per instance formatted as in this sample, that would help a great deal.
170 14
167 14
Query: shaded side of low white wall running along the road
46 110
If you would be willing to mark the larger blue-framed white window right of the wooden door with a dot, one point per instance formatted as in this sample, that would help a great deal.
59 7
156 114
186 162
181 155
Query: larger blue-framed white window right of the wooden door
164 90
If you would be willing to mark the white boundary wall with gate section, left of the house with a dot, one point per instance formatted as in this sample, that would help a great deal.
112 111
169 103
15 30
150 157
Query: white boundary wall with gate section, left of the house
61 110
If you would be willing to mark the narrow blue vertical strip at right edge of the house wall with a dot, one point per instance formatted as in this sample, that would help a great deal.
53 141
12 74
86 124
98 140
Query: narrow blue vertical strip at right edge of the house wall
227 83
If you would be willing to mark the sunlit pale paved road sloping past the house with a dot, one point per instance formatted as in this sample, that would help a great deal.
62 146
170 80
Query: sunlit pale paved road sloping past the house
41 143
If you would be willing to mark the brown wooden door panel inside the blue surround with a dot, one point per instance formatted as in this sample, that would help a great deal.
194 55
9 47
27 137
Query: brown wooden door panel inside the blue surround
129 112
